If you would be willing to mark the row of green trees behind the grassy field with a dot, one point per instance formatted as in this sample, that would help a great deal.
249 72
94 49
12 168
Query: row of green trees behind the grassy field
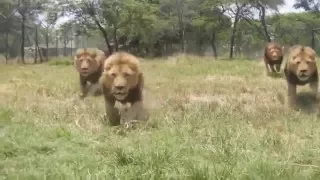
161 27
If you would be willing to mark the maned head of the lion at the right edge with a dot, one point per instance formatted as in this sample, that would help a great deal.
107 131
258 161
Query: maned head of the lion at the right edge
302 62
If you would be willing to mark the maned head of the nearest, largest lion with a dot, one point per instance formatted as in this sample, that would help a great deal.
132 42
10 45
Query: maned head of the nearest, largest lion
122 74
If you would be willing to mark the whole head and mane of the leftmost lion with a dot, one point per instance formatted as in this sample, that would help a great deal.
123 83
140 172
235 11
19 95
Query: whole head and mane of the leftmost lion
88 60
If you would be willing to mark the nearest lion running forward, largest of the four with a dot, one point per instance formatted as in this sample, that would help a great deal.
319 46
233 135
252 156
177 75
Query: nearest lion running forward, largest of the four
122 86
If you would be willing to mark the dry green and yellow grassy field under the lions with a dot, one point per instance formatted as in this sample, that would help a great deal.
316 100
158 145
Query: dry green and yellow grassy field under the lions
209 120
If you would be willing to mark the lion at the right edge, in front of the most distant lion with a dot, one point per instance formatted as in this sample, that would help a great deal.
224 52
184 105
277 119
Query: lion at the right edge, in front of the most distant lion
301 69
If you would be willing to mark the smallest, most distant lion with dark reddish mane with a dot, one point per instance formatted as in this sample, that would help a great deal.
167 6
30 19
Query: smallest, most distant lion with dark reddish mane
273 56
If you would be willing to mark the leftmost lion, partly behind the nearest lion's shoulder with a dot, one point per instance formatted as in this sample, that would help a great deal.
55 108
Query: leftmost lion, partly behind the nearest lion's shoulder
89 63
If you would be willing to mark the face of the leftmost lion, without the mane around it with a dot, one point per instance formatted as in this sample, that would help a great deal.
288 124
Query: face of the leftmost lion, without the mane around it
86 63
